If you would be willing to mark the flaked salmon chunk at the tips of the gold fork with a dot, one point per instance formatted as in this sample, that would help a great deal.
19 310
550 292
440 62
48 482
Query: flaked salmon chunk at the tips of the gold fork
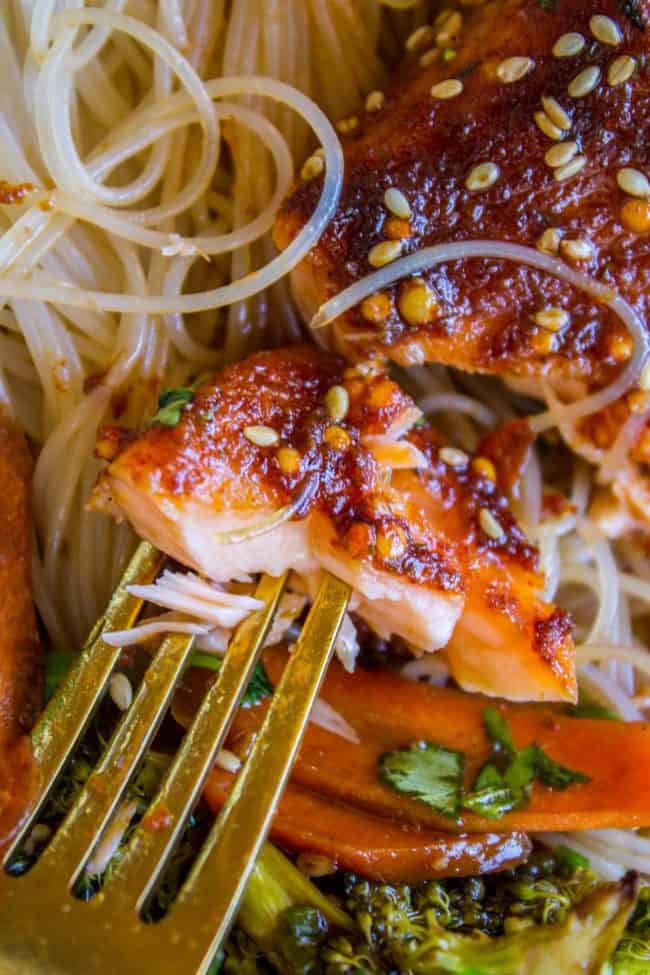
429 547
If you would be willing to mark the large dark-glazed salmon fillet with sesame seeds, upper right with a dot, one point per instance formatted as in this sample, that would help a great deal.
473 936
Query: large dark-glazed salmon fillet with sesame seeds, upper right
532 143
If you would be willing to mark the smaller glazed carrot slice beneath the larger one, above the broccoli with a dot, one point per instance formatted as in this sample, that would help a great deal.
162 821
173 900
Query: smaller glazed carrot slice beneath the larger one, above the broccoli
377 848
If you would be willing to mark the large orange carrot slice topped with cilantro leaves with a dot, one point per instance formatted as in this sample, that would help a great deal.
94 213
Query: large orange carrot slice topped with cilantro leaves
388 712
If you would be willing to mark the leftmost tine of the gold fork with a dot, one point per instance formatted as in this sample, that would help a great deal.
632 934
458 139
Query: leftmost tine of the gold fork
63 724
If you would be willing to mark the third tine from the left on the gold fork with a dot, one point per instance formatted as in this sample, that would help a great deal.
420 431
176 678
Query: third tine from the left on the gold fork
149 850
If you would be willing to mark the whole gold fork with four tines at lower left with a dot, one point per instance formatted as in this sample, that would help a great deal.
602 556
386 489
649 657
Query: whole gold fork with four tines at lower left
44 928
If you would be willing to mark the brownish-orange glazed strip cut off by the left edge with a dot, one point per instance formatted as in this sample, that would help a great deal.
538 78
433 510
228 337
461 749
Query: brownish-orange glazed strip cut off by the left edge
20 649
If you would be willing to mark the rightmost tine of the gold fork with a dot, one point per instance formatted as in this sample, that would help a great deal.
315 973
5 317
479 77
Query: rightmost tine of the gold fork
210 897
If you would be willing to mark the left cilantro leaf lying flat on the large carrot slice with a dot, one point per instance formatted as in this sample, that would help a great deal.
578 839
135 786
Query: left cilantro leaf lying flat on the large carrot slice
427 772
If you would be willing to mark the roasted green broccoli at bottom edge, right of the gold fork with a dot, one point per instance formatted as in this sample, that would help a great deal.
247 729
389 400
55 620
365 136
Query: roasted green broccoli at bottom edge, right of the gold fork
545 918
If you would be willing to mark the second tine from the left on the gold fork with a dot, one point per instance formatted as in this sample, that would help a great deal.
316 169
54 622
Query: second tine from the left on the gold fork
74 841
